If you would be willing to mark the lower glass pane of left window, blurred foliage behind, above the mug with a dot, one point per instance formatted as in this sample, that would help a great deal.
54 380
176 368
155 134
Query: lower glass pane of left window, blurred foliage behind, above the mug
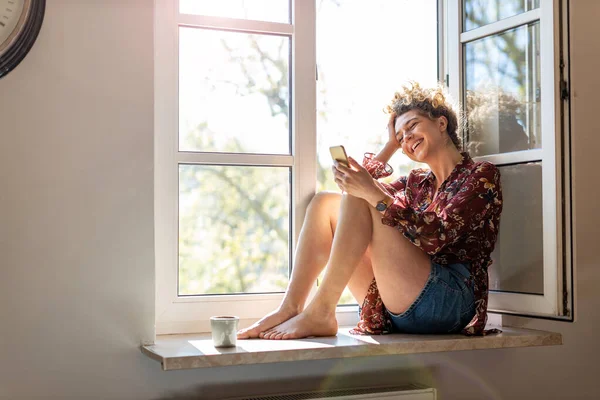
233 229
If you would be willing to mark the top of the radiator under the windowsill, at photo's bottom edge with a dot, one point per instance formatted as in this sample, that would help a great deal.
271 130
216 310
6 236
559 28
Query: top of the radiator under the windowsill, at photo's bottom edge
408 392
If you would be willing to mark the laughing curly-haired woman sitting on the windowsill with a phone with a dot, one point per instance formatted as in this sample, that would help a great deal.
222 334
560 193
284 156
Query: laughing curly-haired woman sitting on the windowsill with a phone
414 252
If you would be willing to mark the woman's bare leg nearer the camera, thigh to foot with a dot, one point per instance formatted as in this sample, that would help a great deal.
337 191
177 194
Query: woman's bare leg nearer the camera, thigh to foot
401 270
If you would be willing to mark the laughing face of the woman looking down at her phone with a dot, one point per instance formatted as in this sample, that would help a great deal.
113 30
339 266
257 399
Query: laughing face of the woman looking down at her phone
421 137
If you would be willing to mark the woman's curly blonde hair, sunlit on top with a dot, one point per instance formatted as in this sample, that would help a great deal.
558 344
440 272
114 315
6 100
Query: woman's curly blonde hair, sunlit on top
429 102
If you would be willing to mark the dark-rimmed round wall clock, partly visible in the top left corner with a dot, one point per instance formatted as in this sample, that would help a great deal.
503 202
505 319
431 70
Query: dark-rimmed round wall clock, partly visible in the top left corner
20 23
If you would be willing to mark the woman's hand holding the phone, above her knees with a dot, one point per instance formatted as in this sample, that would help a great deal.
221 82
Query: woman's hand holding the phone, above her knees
356 181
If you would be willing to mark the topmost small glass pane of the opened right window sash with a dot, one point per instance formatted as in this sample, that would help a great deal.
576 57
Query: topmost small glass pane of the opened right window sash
481 12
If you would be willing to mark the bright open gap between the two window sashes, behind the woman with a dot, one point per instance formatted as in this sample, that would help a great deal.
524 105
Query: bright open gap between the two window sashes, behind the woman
360 69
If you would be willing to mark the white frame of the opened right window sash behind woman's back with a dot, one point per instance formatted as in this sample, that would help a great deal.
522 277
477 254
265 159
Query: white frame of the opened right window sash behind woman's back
556 302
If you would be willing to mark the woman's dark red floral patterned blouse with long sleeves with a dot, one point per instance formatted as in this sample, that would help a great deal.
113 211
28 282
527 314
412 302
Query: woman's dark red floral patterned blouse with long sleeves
460 224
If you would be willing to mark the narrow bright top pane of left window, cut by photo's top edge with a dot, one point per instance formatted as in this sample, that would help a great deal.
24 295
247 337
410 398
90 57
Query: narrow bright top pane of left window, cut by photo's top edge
261 10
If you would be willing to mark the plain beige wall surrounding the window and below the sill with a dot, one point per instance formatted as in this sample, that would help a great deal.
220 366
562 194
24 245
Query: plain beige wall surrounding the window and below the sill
76 234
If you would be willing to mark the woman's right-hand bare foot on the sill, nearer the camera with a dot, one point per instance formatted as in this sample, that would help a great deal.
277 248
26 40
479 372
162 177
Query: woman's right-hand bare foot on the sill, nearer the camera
306 324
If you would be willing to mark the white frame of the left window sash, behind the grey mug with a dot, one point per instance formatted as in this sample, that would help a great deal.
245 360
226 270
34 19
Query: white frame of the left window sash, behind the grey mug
176 314
